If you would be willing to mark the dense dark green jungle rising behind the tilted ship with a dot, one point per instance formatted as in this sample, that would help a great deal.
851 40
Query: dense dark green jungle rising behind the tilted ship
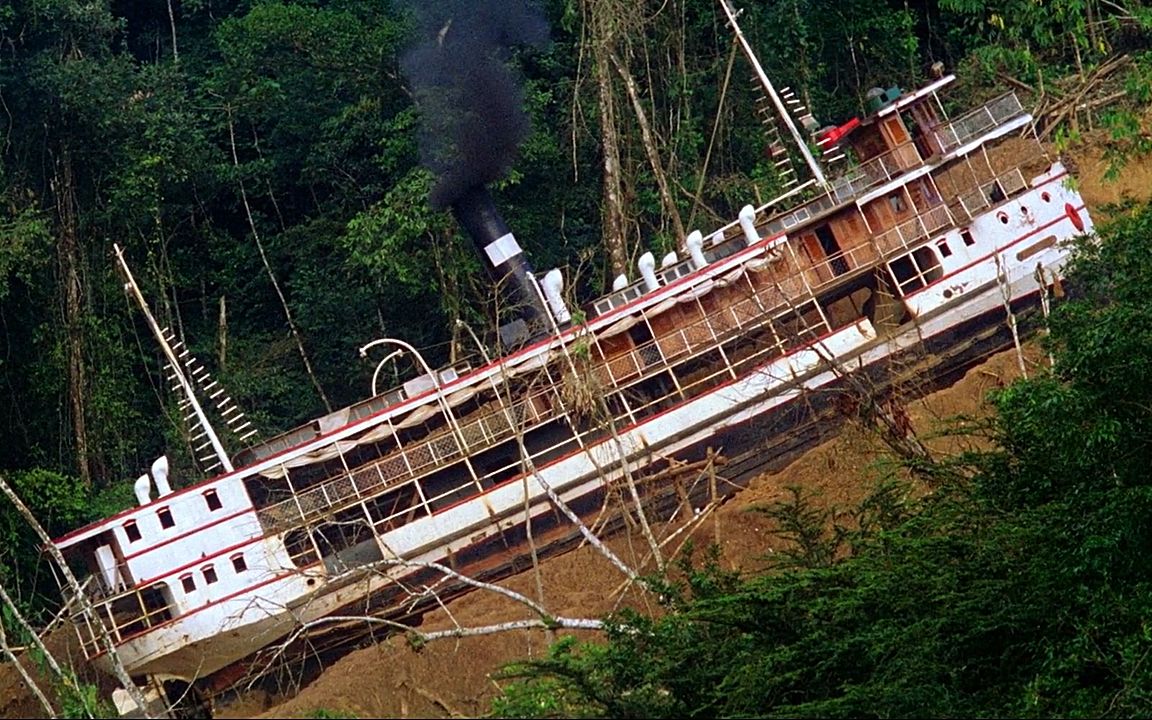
259 162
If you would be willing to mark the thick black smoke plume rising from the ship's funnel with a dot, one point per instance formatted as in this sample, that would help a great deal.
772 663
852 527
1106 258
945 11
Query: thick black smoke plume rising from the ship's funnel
472 103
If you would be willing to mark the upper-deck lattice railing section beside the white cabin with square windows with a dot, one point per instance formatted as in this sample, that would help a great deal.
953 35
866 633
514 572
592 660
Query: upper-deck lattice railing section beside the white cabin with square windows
405 464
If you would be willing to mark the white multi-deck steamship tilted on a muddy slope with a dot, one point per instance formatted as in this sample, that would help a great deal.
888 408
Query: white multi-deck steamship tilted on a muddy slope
931 236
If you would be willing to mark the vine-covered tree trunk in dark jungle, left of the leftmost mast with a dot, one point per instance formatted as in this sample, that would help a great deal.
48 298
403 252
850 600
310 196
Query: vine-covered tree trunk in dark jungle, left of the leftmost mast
73 305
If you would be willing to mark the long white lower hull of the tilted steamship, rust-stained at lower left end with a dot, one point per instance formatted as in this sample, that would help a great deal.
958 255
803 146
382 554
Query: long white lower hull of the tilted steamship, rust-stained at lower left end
213 638
